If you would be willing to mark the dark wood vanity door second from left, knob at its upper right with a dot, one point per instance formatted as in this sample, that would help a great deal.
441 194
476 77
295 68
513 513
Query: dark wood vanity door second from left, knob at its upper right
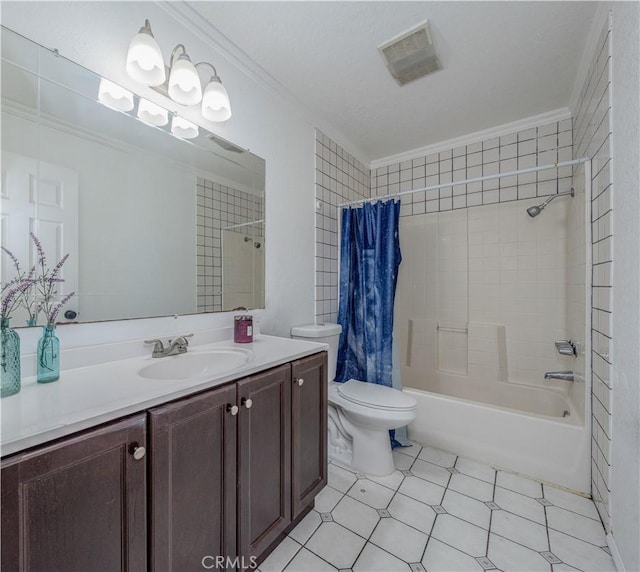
193 481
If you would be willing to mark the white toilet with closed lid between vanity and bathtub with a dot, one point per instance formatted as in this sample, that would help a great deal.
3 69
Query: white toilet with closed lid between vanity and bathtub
360 414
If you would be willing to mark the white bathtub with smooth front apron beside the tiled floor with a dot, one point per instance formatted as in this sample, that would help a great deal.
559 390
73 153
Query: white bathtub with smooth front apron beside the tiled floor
514 427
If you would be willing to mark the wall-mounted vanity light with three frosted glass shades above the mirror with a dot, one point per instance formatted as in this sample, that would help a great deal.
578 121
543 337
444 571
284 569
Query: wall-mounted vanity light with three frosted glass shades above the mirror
146 65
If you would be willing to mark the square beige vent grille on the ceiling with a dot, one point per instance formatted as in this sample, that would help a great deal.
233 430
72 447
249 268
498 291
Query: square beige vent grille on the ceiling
411 55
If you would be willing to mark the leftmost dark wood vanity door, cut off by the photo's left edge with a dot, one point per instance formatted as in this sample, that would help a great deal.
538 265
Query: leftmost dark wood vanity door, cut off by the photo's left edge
78 504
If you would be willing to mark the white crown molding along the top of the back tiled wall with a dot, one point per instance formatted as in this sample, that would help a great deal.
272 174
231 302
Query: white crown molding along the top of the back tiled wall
475 137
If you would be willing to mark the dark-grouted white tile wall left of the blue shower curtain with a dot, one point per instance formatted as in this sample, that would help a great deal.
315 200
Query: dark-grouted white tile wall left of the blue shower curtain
340 178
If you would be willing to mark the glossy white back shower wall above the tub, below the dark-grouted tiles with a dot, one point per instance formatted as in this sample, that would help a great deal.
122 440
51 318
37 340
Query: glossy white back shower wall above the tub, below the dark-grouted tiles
481 294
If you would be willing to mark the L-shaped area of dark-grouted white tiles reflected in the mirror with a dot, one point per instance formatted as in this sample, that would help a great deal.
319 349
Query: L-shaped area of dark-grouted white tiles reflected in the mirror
219 207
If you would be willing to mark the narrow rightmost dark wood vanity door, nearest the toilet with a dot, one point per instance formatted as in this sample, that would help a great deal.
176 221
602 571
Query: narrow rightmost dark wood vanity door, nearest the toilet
308 430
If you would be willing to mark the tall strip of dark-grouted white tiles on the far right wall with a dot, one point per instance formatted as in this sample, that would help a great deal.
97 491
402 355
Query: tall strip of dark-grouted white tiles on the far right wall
592 138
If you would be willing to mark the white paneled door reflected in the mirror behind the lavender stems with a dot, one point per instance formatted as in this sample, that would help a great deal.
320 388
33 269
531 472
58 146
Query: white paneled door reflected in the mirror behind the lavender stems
49 209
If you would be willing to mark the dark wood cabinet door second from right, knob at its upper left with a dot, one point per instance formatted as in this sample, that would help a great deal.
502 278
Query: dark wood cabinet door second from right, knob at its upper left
264 459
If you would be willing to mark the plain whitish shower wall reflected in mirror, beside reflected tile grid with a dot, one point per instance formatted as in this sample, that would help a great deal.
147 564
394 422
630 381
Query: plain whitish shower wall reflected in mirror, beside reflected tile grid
242 270
